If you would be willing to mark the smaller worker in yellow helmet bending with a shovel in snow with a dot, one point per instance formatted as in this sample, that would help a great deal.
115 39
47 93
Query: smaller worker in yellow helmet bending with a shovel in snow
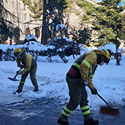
26 61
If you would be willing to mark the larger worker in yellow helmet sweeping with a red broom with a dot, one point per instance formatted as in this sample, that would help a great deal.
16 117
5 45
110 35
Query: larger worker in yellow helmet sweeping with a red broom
81 73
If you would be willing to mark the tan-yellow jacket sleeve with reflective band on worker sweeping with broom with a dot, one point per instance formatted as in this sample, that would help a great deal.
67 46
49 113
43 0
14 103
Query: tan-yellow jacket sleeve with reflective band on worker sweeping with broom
89 60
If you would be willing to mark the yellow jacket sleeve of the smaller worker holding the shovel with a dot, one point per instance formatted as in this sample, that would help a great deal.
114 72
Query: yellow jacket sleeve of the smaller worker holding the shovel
28 63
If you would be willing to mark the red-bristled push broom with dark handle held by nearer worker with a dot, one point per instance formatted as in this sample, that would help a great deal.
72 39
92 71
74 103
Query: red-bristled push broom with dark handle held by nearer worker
107 110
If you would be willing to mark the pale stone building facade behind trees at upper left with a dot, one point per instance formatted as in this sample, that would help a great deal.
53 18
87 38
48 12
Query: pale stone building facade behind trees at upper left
19 15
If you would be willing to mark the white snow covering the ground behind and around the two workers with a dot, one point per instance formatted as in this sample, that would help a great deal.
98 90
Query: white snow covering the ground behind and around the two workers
109 81
